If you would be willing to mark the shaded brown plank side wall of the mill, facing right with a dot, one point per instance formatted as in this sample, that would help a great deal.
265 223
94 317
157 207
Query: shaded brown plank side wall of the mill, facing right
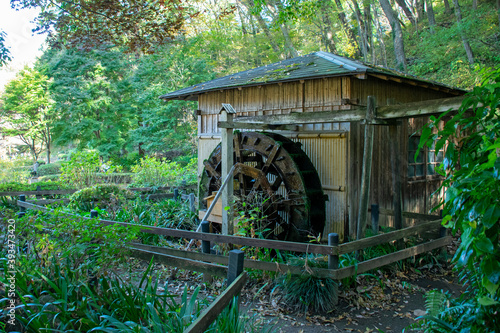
416 193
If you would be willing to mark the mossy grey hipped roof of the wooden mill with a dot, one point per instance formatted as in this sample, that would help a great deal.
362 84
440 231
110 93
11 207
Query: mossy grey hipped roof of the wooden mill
314 65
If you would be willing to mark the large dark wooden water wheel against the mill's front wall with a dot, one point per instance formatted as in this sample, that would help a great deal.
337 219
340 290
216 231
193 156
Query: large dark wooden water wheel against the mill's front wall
273 174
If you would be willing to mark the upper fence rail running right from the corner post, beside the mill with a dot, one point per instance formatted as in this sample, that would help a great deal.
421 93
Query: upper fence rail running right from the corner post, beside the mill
387 237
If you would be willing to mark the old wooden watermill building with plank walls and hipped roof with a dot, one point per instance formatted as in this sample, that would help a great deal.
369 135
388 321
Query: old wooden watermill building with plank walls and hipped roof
320 100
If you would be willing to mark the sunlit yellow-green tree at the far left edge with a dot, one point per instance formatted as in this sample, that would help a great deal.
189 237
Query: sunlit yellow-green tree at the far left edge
27 111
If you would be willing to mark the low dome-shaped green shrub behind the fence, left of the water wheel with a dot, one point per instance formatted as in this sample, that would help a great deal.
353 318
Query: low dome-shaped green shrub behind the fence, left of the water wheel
101 196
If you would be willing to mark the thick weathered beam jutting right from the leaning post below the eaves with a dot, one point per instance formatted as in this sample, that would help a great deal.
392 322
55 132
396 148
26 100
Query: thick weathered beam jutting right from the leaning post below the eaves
416 109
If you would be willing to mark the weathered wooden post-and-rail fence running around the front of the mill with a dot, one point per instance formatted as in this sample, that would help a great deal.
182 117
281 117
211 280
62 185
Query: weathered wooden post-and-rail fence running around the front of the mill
220 265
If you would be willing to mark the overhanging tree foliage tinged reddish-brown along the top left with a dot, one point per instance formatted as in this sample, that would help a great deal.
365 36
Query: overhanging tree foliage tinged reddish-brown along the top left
135 25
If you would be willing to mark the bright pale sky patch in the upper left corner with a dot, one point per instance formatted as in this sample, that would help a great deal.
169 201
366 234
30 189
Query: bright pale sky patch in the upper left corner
24 46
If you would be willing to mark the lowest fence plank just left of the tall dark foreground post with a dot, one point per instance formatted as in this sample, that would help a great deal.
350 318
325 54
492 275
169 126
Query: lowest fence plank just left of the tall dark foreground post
192 265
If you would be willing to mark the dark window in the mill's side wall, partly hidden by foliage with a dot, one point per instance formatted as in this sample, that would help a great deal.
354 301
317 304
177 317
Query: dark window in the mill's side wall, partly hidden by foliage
426 162
